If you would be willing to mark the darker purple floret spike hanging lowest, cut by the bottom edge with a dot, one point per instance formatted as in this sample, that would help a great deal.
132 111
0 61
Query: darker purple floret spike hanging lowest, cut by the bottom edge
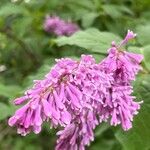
79 133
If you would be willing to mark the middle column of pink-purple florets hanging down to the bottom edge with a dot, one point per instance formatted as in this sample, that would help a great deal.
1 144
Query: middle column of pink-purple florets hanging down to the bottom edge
93 83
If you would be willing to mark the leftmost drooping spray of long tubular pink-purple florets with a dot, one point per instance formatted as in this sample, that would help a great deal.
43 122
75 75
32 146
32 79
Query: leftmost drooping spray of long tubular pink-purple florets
49 99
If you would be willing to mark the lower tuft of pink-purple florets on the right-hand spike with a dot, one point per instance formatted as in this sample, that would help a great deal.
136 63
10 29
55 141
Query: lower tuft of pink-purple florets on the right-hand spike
123 108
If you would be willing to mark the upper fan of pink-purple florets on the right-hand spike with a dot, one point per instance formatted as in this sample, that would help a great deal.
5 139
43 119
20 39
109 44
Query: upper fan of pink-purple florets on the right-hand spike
124 64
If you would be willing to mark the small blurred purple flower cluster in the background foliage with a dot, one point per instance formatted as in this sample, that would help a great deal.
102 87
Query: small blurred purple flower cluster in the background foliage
59 27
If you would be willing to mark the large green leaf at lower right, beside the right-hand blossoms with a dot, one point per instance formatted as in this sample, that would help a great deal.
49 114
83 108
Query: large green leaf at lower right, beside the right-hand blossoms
138 137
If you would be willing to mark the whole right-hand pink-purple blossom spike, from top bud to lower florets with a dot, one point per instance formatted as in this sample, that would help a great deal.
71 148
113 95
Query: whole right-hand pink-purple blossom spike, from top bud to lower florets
119 105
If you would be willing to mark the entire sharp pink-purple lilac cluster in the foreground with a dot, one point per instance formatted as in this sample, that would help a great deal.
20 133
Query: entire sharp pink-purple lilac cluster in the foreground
79 95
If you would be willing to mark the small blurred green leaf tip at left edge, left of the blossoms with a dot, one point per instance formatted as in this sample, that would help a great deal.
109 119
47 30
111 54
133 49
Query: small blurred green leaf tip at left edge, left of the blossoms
9 90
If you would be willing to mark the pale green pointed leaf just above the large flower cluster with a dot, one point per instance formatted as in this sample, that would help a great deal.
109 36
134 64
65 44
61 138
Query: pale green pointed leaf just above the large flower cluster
91 39
